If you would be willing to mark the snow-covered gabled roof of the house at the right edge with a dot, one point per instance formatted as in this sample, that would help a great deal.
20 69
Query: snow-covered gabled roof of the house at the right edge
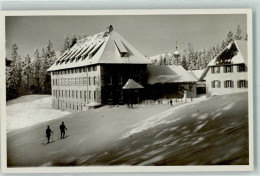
240 56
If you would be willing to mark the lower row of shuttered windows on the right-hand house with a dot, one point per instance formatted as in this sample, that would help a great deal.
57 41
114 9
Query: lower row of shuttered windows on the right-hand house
229 84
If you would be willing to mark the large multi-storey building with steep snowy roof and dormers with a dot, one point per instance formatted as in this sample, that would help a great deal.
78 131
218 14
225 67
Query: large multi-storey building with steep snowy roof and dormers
94 71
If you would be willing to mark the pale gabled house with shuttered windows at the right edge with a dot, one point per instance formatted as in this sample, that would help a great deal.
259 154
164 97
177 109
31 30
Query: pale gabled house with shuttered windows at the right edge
227 72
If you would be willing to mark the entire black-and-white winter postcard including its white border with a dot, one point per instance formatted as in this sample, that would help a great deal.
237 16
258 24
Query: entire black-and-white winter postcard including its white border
141 88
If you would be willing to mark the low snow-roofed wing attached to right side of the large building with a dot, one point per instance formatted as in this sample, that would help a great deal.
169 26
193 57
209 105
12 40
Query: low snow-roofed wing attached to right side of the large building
170 81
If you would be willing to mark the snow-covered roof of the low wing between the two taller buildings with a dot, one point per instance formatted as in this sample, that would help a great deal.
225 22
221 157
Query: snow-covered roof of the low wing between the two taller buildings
168 74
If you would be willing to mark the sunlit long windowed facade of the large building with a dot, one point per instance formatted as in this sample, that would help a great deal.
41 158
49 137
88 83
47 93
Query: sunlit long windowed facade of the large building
74 91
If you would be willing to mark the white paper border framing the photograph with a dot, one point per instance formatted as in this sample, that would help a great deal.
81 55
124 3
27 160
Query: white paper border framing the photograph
124 169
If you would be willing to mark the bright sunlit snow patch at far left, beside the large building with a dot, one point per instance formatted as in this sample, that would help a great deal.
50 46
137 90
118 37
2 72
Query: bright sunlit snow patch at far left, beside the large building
31 110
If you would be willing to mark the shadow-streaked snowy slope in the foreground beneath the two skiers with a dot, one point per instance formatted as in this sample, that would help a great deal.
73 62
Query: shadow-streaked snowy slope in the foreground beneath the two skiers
214 131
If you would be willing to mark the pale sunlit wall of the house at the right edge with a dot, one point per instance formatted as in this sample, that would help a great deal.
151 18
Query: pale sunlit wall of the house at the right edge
235 76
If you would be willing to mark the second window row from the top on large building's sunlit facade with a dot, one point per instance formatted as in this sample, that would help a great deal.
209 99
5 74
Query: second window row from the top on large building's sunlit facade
75 81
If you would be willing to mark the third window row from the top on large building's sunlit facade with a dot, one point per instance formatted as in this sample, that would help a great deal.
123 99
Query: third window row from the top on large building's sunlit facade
76 94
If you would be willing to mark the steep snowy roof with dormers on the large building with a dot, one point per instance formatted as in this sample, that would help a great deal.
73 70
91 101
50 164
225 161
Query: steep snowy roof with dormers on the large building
102 48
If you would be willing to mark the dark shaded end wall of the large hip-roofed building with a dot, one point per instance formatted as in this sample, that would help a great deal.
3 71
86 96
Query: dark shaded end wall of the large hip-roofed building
115 76
